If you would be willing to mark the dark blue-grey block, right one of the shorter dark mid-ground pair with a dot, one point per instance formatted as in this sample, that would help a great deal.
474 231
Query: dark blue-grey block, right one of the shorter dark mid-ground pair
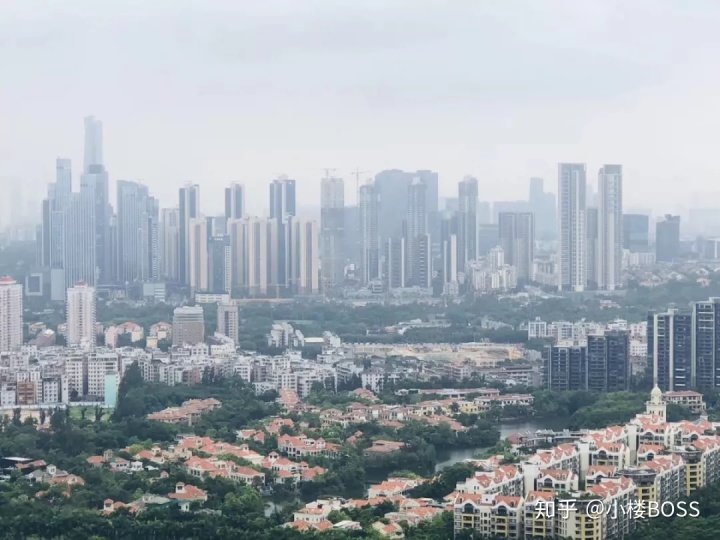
608 360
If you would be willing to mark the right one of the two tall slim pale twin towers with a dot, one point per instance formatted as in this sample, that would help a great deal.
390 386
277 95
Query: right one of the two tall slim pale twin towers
610 222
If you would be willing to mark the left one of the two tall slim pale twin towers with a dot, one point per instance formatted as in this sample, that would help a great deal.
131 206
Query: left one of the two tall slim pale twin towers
571 189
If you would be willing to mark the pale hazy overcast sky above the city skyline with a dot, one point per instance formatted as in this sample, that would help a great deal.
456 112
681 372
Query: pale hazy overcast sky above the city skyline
215 91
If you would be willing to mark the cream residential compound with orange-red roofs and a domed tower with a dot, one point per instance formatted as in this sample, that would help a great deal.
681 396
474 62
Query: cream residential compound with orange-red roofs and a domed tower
557 492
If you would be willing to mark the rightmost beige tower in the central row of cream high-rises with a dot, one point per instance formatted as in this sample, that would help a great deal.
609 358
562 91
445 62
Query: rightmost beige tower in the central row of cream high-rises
304 256
